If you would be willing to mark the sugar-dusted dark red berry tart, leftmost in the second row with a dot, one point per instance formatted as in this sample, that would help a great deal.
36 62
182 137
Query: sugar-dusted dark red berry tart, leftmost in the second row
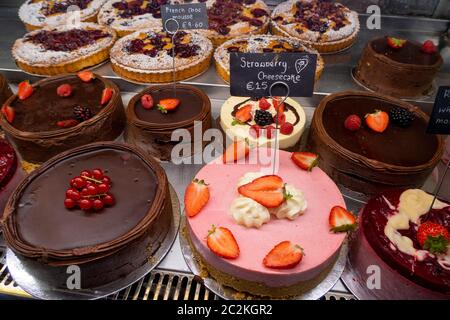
63 49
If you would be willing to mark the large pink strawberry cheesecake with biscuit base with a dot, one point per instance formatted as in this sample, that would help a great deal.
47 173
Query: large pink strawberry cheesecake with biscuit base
310 228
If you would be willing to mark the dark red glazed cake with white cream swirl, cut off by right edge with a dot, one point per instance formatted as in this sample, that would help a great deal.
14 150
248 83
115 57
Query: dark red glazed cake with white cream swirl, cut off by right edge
400 235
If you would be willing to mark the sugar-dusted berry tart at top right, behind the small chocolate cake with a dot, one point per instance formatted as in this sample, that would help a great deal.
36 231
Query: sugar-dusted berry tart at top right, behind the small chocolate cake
324 25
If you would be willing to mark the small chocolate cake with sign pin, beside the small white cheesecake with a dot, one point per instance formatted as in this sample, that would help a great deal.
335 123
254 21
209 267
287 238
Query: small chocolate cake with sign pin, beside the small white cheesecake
152 130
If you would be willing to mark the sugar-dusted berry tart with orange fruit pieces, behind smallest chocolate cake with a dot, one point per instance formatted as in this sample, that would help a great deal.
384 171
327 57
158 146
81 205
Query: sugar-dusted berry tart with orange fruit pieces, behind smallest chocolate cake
146 56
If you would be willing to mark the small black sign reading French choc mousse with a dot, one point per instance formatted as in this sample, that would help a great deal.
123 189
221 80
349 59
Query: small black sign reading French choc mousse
188 16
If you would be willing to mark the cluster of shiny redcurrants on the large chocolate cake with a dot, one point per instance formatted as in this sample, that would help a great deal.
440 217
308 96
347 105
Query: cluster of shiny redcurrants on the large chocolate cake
89 191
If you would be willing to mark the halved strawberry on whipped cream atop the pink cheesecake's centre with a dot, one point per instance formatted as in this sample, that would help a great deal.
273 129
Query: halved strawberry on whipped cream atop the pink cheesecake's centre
267 191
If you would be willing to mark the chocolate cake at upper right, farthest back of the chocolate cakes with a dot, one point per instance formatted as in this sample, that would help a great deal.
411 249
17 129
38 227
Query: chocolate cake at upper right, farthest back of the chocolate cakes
402 72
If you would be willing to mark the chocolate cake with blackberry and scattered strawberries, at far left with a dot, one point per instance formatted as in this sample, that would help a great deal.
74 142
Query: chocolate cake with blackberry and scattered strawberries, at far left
35 132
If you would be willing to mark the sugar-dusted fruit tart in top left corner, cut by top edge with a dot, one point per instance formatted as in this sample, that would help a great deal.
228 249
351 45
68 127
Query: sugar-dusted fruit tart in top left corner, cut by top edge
37 14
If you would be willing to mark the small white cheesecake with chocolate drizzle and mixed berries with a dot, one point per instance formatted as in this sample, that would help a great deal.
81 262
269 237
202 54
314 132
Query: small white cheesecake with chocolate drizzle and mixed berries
261 126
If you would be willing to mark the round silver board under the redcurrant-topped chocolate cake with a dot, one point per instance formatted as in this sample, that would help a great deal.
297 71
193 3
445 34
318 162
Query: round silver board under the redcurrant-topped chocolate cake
21 269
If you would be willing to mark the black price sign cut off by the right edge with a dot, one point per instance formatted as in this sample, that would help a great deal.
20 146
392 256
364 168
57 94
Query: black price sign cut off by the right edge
440 116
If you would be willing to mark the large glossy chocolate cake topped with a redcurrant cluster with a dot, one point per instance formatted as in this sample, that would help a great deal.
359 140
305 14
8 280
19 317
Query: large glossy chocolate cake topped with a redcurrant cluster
106 245
